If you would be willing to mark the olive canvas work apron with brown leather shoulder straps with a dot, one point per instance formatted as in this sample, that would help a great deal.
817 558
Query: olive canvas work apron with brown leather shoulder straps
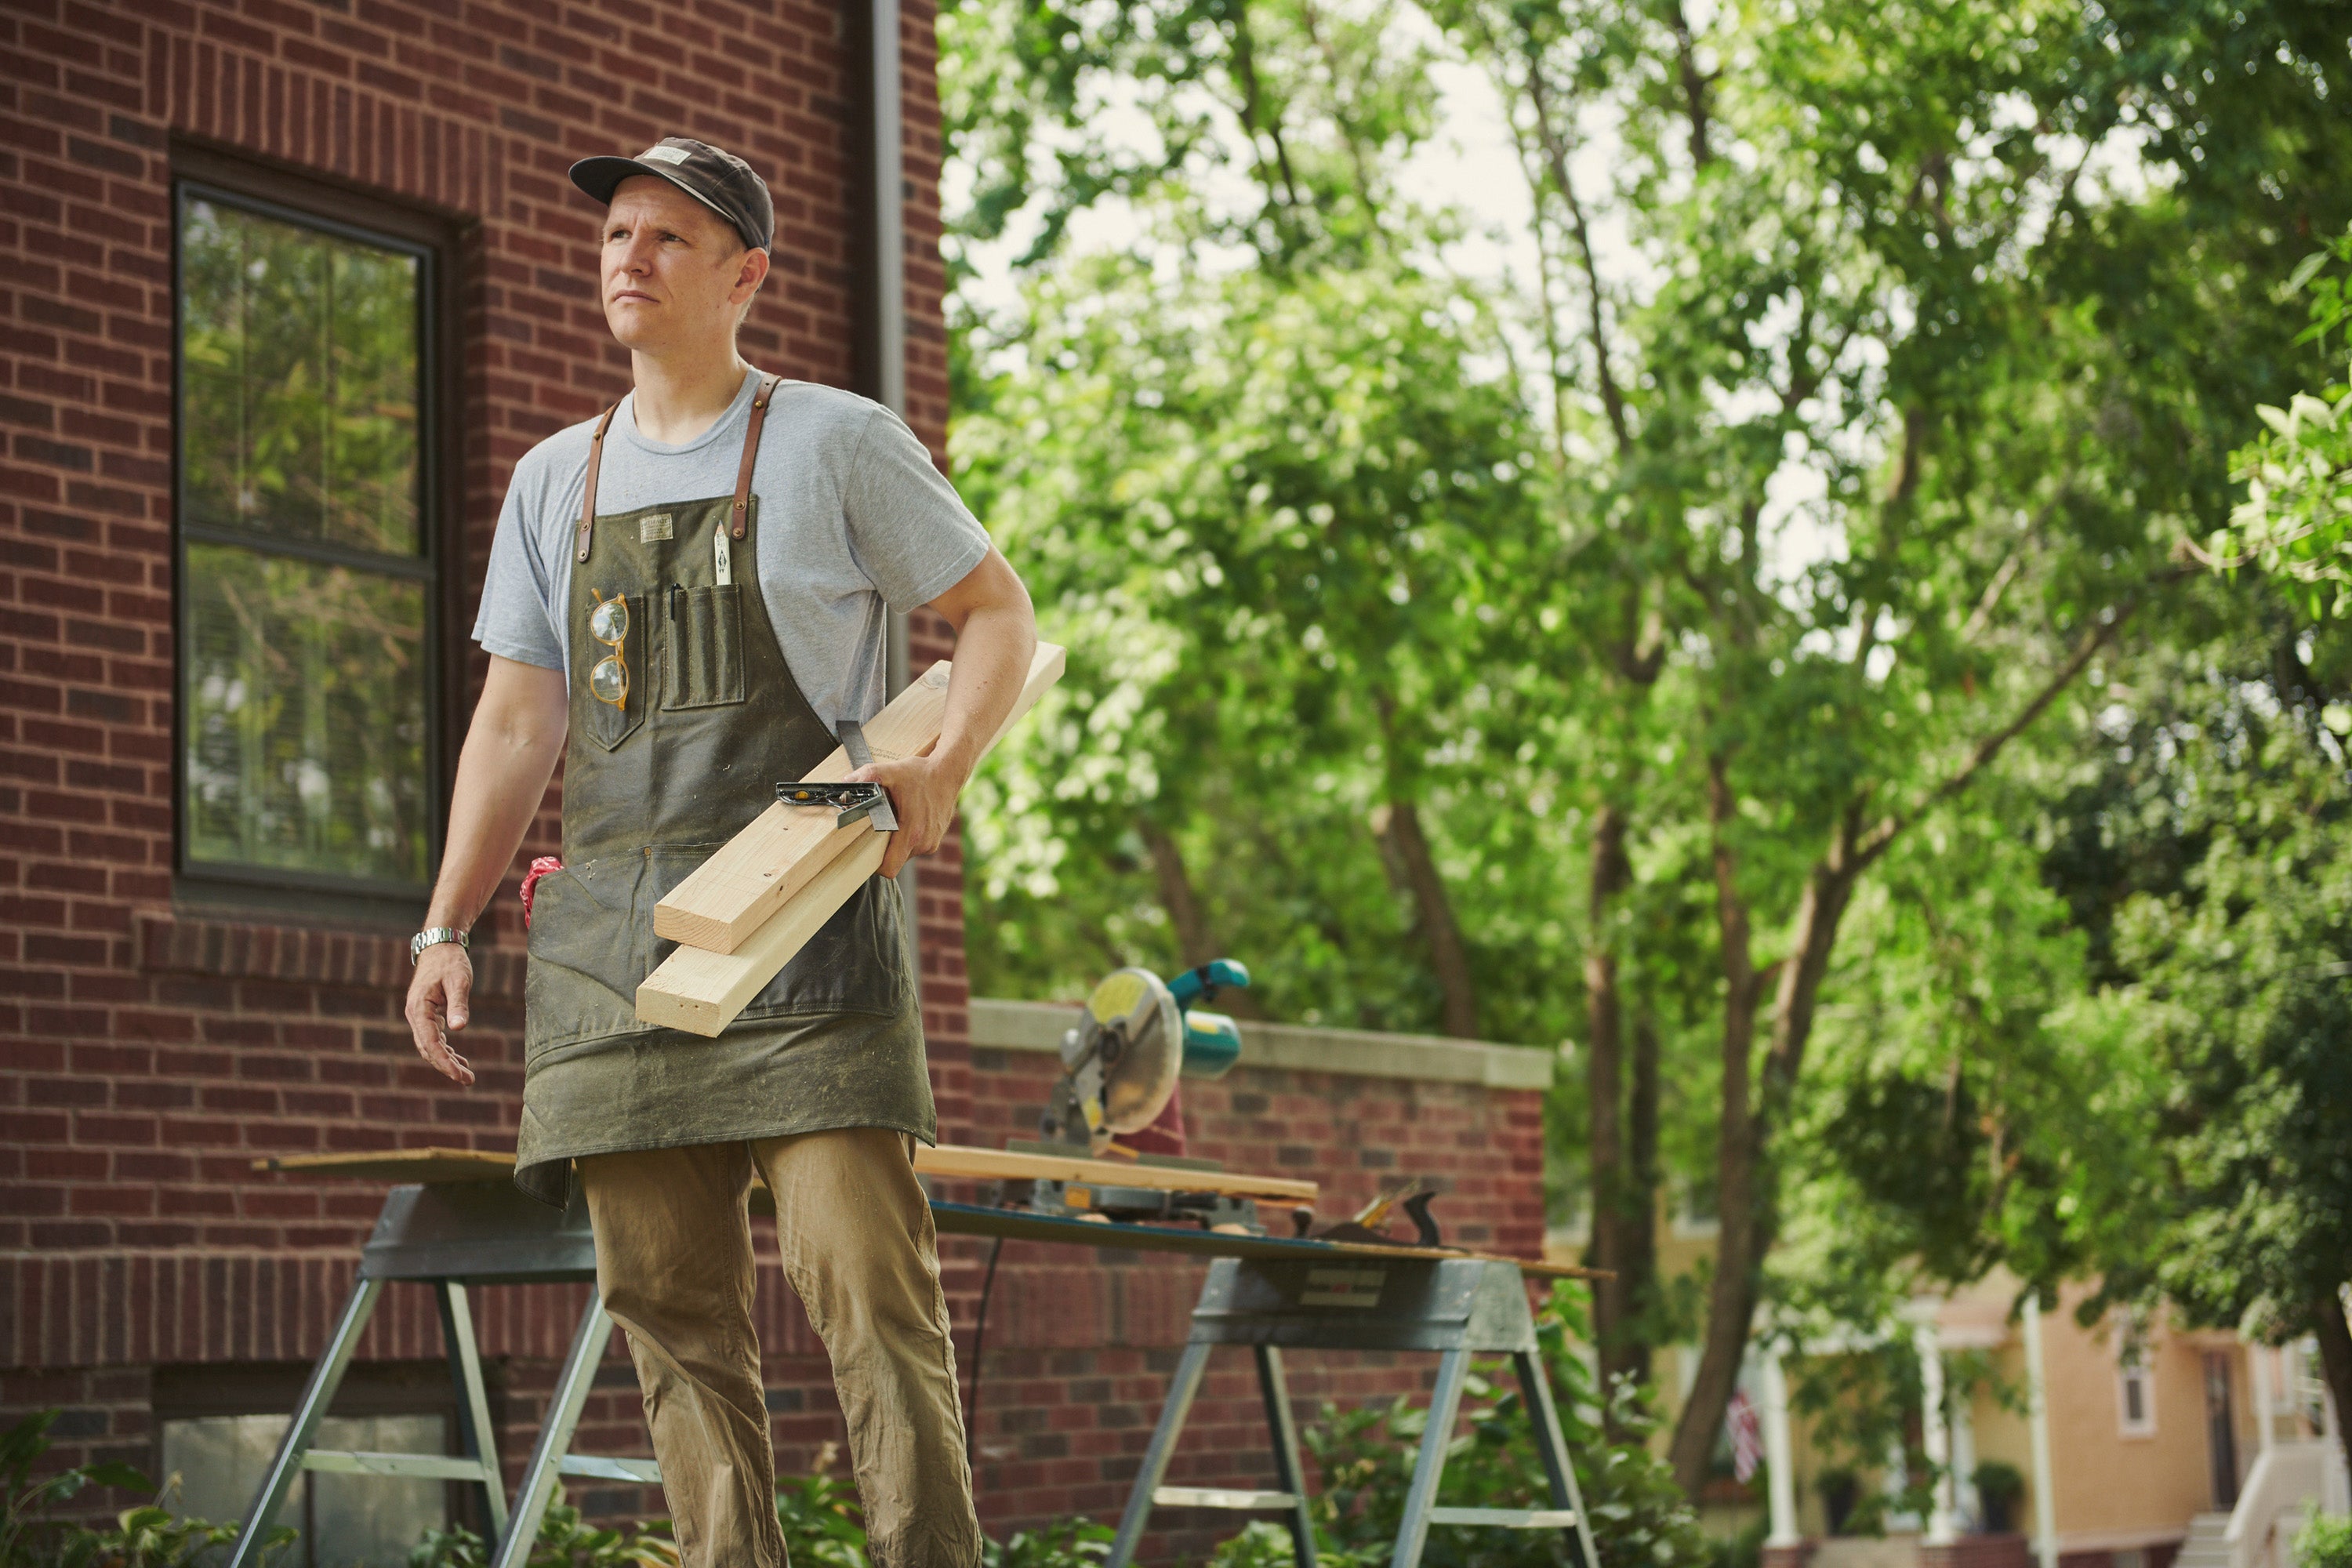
707 721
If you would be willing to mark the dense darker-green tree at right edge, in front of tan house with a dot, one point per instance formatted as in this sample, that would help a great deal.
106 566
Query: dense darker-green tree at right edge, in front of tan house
2207 857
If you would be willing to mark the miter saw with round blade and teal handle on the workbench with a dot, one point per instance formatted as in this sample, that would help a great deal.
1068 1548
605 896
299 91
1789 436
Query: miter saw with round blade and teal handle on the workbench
1118 1071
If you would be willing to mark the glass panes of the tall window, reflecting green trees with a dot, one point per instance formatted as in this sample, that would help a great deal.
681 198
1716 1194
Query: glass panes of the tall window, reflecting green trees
305 572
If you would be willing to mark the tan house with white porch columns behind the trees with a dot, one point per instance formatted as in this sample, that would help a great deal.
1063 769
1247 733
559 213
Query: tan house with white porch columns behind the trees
2156 1445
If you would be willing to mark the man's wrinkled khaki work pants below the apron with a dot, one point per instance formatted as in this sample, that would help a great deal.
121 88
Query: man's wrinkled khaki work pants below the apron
855 1231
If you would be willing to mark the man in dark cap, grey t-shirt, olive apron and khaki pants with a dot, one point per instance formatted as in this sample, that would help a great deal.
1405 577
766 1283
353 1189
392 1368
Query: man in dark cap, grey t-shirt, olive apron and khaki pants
683 601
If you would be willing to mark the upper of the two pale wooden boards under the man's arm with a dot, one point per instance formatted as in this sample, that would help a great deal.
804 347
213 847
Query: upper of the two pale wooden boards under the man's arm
749 878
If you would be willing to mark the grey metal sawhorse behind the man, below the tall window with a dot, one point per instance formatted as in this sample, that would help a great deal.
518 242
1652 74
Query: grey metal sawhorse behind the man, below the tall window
455 1235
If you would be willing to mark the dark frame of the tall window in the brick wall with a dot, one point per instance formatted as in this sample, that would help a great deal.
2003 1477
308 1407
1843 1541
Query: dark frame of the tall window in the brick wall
290 196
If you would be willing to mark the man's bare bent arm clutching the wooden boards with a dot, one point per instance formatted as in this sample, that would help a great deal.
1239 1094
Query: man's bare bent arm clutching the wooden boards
996 636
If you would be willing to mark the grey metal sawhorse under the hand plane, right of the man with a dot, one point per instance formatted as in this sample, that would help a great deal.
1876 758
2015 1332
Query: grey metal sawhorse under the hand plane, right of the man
1455 1306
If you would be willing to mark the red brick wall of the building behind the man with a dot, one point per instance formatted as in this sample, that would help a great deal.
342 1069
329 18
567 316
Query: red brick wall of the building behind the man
149 1057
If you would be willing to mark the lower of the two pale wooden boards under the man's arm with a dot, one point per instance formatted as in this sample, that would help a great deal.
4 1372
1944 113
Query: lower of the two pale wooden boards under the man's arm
702 991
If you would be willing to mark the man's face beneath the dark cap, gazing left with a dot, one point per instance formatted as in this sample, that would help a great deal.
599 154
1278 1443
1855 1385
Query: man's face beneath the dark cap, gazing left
674 272
